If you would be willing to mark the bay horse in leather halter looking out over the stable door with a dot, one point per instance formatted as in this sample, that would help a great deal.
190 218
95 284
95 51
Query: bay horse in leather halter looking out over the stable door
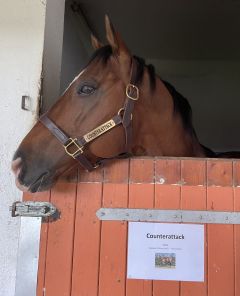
116 107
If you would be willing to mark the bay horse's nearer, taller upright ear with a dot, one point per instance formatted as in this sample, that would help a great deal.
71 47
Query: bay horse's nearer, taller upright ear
114 39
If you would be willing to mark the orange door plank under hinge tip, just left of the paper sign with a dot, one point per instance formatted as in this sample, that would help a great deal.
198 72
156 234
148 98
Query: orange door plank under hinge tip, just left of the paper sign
112 275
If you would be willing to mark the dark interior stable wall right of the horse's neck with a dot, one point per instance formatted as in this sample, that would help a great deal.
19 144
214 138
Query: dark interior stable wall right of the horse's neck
212 88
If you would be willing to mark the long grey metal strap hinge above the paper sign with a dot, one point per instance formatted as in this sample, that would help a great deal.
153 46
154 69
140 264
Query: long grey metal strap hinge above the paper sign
177 216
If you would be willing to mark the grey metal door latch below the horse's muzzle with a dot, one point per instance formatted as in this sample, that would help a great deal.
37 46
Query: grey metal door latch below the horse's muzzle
33 209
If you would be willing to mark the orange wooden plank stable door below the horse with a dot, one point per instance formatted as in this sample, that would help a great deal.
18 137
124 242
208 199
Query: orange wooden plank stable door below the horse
82 256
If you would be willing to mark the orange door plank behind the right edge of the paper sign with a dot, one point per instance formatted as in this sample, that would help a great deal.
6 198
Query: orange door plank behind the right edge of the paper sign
194 197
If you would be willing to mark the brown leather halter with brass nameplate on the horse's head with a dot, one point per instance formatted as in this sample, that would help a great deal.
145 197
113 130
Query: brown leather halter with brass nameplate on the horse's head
74 147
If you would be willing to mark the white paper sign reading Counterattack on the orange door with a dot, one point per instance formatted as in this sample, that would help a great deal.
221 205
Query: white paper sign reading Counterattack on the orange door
160 251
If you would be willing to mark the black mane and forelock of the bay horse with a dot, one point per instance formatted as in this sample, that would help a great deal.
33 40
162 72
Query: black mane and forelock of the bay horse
181 104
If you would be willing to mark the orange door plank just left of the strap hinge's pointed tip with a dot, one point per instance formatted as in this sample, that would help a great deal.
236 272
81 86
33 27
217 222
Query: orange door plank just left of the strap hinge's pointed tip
87 234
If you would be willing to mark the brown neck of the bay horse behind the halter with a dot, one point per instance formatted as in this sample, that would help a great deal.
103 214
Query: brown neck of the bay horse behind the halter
158 130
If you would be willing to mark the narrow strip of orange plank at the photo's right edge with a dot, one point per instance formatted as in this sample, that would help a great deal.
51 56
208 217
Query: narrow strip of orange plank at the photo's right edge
236 178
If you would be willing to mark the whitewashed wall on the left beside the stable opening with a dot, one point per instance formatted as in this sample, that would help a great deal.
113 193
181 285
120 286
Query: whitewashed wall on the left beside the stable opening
21 47
